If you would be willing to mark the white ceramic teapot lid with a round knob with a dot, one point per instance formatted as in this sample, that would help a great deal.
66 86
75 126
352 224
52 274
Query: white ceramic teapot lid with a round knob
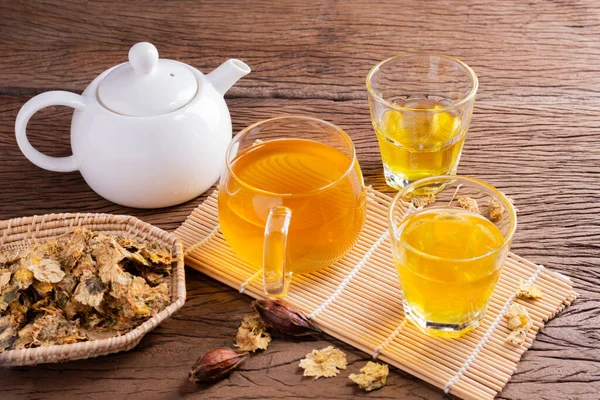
147 86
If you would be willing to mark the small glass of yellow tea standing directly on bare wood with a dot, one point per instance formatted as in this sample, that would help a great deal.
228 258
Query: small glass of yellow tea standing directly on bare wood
421 106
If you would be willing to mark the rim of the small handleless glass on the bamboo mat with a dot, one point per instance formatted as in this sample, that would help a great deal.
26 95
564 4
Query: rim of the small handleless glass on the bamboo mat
508 206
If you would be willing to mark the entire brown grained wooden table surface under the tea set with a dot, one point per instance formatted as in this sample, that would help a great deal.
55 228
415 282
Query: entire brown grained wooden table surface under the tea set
535 134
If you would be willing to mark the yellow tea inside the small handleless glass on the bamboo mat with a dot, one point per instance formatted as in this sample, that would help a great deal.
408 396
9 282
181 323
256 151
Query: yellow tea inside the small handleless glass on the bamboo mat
444 267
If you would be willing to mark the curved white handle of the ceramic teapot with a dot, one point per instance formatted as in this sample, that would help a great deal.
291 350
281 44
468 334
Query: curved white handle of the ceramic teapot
54 98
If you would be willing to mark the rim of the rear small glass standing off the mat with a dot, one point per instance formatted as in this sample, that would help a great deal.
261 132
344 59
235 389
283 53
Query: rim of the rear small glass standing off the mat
462 101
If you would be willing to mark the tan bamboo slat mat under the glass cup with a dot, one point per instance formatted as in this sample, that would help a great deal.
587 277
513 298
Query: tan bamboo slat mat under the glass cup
358 300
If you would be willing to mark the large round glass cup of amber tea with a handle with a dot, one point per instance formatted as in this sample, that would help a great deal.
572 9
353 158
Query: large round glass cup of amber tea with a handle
292 198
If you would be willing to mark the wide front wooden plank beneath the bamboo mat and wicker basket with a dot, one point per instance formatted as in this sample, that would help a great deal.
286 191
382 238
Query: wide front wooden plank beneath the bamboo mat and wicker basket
543 154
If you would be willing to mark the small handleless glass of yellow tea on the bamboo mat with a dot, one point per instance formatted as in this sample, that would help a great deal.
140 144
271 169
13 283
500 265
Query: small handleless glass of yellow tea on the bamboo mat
449 246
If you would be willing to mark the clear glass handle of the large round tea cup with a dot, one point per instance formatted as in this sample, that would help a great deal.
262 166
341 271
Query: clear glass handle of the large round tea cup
276 278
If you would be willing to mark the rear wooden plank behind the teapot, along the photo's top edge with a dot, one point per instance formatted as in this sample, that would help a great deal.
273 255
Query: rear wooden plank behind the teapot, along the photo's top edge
522 51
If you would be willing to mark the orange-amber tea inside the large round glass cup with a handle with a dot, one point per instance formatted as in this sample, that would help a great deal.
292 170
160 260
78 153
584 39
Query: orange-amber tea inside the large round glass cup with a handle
303 175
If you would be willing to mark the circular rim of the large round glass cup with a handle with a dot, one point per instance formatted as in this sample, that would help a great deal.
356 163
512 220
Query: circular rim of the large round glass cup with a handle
246 131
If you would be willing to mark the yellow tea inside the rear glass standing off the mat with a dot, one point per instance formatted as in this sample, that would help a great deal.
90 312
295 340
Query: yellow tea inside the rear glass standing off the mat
416 145
